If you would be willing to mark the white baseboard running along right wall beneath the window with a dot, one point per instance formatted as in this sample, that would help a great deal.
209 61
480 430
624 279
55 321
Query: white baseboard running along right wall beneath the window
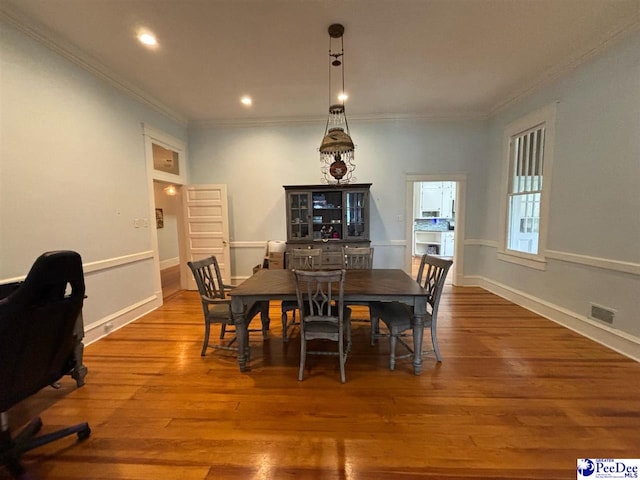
621 342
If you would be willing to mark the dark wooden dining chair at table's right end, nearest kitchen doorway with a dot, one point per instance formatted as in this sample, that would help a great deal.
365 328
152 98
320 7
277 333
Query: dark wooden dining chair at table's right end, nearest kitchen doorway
398 317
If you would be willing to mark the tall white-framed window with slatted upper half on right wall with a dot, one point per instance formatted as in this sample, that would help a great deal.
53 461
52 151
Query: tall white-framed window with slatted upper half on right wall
528 149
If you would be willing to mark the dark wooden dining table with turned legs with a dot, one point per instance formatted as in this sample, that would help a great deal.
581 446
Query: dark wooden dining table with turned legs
383 285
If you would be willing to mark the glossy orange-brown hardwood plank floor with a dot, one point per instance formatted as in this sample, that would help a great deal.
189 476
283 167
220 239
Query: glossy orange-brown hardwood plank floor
516 397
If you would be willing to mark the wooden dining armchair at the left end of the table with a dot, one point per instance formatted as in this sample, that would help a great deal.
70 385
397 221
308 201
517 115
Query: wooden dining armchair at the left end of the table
216 305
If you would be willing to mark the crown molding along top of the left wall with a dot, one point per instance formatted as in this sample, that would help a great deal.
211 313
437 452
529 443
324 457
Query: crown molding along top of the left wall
50 40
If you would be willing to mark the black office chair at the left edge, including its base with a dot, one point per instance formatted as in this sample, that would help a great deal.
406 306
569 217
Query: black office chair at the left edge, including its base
37 345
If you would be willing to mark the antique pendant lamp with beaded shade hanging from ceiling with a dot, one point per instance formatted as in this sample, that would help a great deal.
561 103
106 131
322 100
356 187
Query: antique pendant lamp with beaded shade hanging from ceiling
336 149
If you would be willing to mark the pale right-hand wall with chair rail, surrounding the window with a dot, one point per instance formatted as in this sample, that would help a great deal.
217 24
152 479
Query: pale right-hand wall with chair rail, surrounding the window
595 205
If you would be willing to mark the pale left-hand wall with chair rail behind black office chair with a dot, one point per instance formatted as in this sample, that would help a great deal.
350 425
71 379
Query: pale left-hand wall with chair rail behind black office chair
73 176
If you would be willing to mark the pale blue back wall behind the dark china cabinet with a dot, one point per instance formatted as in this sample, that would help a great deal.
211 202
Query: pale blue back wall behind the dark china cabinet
256 162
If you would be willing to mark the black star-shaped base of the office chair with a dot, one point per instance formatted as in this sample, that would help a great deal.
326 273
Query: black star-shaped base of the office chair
12 449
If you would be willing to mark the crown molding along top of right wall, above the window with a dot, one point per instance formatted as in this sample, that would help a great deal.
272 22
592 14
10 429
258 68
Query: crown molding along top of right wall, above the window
579 58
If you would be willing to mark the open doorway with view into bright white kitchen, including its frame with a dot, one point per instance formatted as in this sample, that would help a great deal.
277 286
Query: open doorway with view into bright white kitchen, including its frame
435 220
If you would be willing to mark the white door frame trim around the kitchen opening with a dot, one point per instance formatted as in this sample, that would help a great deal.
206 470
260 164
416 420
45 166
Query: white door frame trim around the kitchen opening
461 191
